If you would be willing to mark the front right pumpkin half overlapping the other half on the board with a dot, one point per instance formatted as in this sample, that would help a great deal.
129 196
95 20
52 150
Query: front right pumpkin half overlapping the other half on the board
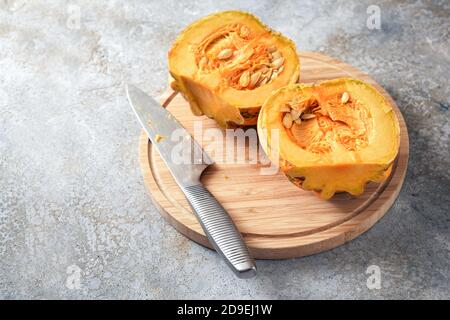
331 137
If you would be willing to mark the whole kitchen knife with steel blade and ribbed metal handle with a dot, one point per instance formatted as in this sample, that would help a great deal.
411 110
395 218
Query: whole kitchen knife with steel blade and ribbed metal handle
186 161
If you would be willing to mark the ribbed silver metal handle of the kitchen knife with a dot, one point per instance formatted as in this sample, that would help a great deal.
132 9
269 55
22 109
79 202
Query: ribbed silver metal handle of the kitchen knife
221 231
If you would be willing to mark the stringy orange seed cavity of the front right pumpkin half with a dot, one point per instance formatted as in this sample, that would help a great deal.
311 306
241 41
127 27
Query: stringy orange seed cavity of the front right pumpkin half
317 125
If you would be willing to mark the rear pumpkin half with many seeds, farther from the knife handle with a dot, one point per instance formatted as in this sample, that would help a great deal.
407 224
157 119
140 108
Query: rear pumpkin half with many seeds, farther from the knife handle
227 64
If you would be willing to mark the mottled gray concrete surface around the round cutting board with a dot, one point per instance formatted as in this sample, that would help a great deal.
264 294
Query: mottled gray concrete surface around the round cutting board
72 200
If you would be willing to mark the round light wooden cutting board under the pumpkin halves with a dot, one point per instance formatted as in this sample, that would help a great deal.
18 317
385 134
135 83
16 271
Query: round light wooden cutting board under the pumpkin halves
276 219
